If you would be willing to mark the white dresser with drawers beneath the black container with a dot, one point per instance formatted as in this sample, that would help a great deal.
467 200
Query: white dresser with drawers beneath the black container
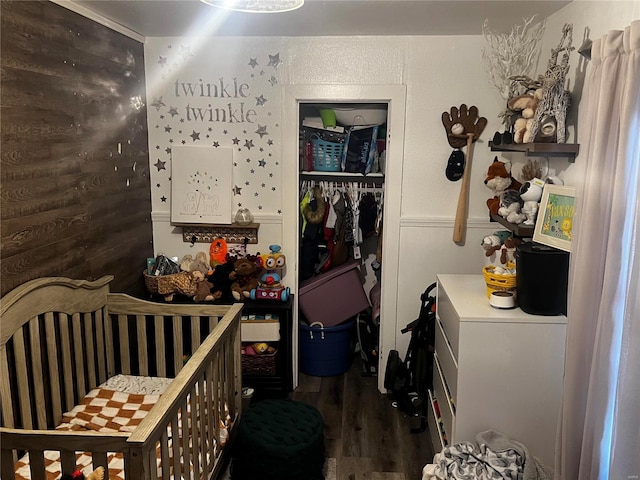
494 369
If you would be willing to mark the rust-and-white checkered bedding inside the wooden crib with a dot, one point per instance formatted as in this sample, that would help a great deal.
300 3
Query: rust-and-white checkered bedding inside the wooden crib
115 406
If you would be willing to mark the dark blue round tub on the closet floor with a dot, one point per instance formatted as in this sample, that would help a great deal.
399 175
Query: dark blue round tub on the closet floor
325 351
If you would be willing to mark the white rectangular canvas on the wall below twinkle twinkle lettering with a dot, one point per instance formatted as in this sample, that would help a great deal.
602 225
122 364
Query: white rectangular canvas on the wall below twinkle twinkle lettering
201 184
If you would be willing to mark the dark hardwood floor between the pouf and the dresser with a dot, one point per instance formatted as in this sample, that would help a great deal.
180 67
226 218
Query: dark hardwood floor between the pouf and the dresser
368 437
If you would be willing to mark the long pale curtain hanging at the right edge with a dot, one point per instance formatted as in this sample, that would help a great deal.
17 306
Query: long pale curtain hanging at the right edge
599 431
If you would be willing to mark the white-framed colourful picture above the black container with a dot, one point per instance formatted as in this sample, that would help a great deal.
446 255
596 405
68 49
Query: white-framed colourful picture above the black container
554 223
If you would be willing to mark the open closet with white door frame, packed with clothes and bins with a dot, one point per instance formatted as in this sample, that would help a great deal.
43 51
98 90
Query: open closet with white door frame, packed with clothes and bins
342 177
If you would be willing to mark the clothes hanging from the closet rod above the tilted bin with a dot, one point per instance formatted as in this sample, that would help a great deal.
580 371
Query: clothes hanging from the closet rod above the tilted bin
336 217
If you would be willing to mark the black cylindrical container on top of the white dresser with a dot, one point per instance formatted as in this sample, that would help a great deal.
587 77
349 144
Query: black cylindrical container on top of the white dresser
542 275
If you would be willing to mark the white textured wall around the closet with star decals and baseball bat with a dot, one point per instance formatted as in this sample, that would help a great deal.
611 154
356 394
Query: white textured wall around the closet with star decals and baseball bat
439 72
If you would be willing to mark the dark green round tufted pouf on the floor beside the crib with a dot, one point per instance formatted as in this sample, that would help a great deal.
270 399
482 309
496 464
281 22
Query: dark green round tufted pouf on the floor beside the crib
279 440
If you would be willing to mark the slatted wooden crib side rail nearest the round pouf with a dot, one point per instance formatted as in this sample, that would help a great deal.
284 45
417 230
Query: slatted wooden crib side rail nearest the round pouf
211 380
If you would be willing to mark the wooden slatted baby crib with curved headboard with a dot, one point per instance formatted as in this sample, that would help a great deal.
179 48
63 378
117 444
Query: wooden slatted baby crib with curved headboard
62 339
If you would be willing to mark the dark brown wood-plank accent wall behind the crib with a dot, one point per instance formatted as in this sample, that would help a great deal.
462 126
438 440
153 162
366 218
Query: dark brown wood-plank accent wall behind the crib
75 197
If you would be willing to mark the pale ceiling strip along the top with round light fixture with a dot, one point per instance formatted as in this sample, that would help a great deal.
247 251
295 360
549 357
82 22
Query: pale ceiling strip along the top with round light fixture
173 18
